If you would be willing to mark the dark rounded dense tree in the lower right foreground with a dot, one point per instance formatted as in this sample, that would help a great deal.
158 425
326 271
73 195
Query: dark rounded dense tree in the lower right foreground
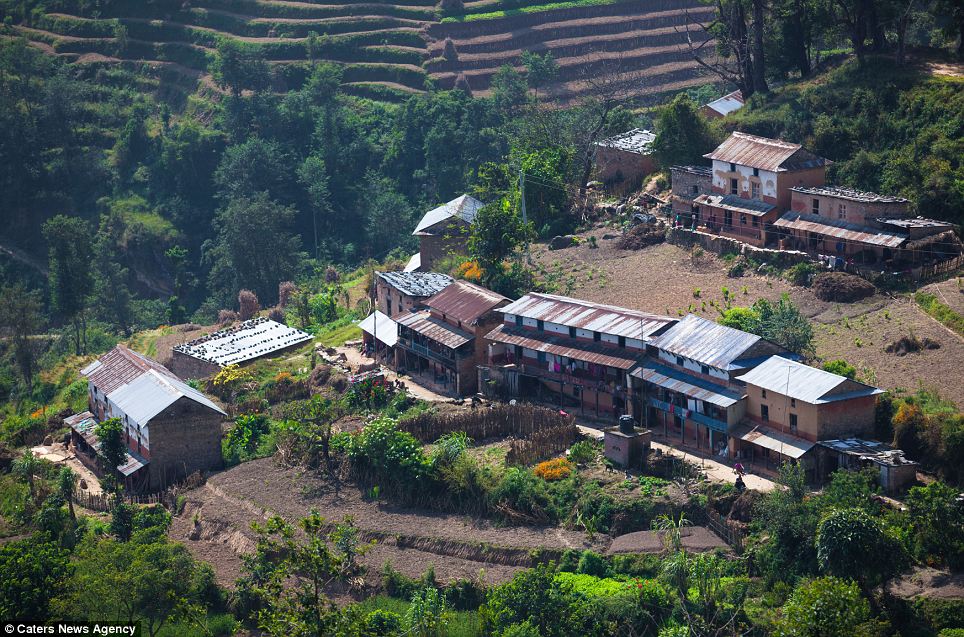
851 544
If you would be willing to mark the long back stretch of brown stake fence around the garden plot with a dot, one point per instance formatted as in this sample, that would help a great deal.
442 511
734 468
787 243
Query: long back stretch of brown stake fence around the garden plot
495 421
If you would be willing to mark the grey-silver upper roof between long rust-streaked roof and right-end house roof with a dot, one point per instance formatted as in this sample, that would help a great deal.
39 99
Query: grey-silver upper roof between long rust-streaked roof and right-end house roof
706 342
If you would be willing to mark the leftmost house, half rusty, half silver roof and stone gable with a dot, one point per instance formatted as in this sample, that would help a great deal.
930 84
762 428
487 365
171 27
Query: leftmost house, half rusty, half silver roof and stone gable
171 429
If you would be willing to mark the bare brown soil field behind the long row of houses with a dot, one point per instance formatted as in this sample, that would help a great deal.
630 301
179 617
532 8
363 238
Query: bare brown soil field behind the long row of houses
663 279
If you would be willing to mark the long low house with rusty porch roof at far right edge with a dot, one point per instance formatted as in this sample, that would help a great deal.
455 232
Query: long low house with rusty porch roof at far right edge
863 227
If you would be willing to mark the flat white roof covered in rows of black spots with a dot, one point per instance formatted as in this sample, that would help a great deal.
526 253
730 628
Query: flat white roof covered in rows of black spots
243 342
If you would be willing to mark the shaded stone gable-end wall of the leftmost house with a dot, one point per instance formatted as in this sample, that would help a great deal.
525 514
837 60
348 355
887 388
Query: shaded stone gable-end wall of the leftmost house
186 437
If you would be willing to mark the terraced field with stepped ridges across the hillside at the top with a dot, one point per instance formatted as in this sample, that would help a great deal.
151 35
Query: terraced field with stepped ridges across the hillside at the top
389 50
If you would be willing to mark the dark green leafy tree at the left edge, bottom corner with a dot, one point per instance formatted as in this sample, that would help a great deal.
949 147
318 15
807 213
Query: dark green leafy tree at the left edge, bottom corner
32 572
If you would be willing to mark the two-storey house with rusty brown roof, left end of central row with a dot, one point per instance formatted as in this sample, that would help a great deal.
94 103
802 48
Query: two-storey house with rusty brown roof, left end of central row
446 341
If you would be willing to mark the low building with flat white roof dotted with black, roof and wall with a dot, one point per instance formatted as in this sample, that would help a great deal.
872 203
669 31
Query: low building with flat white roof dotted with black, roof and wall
243 343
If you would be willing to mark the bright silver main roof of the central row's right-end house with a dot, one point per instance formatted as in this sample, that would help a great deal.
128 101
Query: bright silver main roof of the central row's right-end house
802 382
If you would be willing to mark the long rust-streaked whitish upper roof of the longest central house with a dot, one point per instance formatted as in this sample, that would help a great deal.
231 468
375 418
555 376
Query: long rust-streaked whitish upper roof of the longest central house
596 317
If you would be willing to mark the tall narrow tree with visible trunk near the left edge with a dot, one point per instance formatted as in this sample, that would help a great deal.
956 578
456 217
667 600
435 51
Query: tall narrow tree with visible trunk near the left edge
69 243
